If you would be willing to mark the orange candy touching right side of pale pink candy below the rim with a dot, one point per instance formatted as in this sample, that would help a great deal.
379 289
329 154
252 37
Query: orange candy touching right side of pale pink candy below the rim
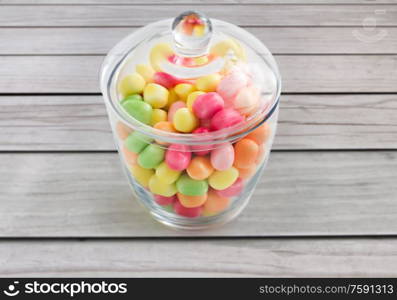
245 152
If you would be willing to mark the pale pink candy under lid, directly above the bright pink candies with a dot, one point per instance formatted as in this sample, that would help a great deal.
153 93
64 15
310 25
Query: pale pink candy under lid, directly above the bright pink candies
230 85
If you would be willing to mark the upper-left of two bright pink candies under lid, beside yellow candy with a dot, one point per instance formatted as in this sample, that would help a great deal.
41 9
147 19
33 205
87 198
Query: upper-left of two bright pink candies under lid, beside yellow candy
206 105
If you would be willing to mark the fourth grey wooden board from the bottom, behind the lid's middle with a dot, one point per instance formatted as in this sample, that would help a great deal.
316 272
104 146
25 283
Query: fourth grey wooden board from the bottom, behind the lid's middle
301 74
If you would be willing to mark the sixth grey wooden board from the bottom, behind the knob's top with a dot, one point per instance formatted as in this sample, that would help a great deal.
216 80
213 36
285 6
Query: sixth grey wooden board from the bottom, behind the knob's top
250 15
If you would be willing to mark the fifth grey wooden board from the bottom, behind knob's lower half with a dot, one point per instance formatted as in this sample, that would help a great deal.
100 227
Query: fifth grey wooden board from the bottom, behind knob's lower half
280 40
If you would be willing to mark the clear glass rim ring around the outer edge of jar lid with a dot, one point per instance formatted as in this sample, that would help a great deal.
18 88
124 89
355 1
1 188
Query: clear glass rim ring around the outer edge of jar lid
121 51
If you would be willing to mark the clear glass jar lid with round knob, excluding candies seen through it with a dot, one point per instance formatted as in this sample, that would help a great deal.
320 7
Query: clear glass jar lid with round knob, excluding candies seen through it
189 47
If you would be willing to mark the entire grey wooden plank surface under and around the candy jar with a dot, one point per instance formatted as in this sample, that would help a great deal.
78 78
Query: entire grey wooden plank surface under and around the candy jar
326 205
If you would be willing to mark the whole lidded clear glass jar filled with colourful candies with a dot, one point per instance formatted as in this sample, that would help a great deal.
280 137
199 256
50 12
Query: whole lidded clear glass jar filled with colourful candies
192 163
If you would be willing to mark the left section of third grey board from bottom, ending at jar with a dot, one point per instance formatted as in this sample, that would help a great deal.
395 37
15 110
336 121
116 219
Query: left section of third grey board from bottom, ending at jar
54 123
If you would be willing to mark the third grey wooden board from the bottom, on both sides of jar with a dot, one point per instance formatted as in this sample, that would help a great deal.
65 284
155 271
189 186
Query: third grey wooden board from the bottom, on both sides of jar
80 123
